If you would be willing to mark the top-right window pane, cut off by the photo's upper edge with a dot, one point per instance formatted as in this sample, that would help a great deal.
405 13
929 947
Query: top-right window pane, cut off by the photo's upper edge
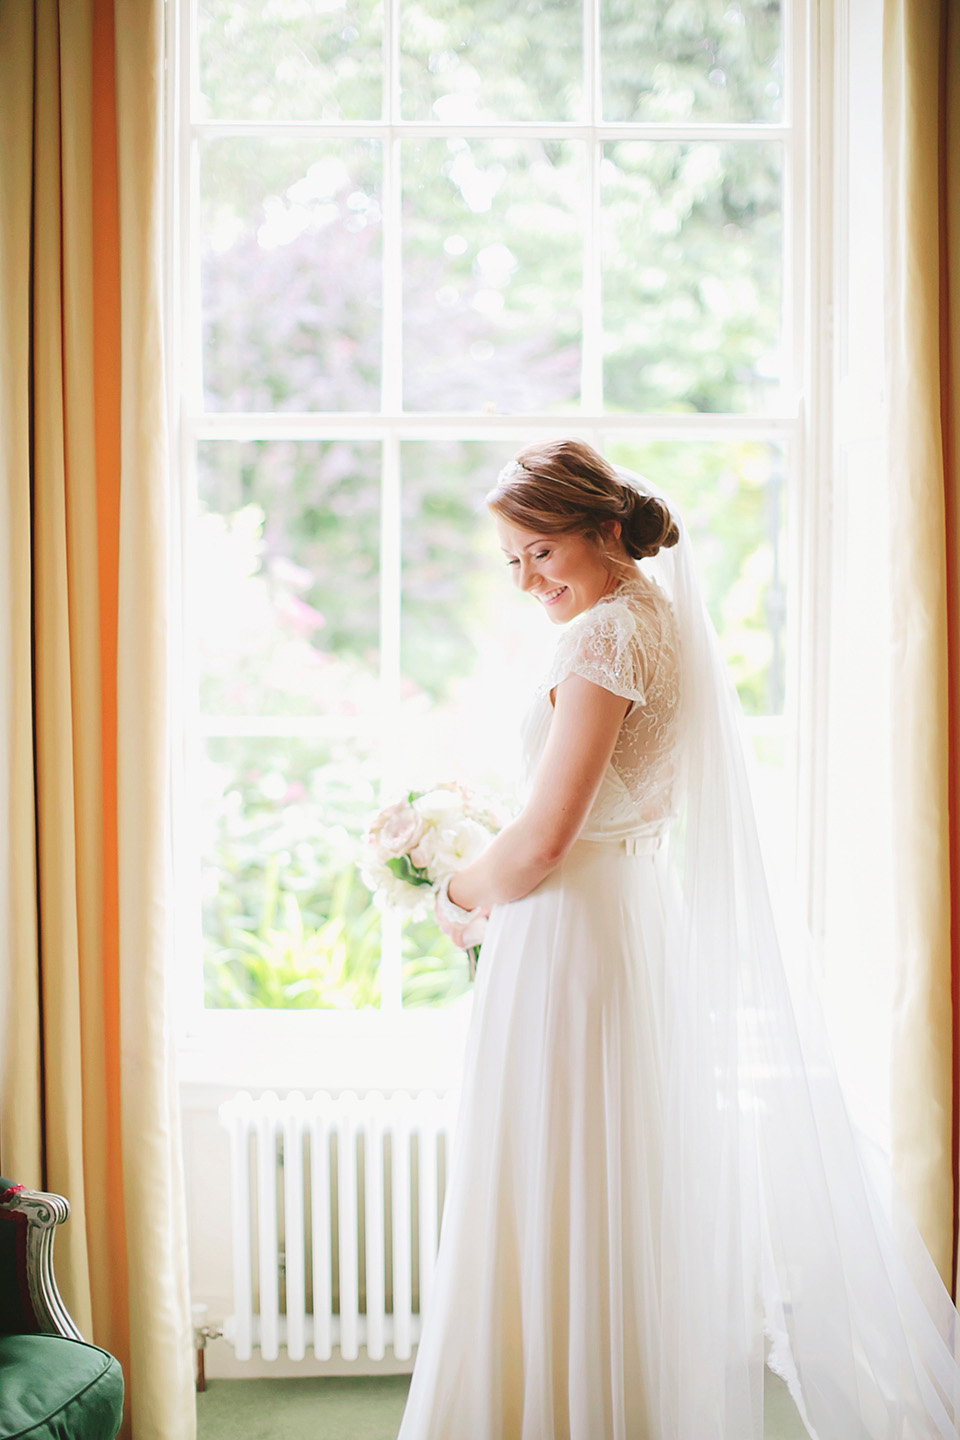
692 60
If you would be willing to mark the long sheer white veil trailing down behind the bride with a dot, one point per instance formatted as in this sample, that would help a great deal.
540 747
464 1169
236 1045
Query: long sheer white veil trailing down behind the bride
784 1241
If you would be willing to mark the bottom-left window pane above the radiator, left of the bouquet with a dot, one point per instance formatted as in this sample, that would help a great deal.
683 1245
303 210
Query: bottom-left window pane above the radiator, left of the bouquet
287 921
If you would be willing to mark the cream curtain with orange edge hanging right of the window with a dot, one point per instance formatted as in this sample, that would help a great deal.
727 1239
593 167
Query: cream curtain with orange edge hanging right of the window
922 145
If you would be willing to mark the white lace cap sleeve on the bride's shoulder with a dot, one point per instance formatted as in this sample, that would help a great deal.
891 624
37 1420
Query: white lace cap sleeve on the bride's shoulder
607 647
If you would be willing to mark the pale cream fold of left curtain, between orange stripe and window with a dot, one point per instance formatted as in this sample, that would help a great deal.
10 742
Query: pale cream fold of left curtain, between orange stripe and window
153 1180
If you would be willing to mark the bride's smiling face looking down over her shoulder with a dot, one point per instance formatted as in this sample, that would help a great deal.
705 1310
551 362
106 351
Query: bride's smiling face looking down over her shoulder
563 574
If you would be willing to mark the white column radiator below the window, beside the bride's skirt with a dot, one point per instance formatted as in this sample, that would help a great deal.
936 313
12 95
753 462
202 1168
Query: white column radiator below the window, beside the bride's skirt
336 1219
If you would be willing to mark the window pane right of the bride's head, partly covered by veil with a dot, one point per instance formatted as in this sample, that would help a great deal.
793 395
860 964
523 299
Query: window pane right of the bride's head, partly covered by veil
733 499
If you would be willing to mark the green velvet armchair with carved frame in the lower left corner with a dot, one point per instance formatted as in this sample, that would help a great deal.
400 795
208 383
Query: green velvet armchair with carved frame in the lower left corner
53 1385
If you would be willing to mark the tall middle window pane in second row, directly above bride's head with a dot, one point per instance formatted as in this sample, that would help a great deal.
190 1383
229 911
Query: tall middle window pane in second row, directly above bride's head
493 273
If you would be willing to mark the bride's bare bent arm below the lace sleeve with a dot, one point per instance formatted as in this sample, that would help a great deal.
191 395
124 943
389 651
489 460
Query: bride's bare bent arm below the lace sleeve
584 731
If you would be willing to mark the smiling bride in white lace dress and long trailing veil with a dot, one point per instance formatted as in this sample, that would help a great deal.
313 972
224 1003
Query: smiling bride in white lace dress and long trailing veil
656 1190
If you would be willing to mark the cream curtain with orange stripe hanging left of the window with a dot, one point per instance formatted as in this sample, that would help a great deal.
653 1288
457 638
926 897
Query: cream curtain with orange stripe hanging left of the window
89 1102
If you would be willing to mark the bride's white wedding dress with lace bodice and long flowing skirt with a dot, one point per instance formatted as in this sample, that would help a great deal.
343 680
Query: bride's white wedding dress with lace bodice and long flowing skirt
546 1317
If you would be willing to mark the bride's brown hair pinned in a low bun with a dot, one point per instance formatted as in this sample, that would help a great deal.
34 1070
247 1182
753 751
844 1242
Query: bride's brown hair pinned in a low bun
566 487
